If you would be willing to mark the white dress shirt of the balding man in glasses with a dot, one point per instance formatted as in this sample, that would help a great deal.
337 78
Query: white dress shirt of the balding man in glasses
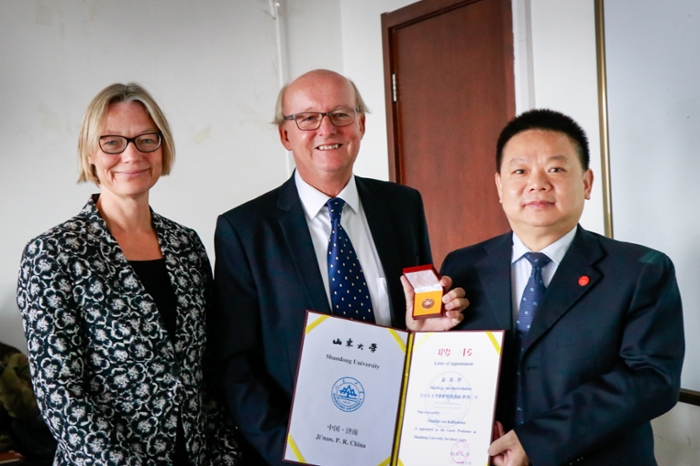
355 225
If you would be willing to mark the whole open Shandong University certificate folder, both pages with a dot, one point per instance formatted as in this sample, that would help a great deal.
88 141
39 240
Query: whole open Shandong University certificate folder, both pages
371 395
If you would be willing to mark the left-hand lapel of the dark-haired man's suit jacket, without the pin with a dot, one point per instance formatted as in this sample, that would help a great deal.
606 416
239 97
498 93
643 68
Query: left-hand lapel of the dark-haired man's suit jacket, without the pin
494 275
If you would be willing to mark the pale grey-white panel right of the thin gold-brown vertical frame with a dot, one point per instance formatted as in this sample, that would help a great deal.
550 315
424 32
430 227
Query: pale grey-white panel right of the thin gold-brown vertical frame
656 139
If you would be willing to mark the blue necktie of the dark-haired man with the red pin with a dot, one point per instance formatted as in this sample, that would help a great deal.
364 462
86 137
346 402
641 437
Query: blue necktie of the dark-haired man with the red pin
532 295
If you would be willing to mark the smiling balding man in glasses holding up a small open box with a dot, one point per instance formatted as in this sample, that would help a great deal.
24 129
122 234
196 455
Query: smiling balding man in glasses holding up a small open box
272 257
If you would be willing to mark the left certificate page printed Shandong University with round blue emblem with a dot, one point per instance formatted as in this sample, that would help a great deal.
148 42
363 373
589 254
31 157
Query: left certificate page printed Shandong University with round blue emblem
347 393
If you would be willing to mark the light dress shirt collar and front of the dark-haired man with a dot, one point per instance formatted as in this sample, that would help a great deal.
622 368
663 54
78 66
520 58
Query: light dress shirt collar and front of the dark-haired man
520 268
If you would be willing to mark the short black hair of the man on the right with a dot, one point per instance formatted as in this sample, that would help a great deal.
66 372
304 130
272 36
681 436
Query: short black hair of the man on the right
545 120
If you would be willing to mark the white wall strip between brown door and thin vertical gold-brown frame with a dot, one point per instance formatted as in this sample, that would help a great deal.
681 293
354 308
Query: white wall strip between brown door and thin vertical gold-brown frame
555 67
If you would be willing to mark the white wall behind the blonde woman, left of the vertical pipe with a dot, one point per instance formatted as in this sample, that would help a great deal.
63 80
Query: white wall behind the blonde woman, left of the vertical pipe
213 68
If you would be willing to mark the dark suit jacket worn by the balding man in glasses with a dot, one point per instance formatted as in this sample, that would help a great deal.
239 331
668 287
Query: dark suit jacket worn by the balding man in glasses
267 276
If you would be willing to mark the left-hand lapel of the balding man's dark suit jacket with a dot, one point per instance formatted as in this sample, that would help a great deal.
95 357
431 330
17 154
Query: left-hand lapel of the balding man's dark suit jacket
296 233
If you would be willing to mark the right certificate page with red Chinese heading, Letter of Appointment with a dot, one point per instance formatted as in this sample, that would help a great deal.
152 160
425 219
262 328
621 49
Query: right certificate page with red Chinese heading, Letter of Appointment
450 400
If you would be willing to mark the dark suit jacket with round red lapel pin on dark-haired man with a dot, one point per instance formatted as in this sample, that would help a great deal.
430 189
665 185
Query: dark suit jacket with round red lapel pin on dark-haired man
601 359
